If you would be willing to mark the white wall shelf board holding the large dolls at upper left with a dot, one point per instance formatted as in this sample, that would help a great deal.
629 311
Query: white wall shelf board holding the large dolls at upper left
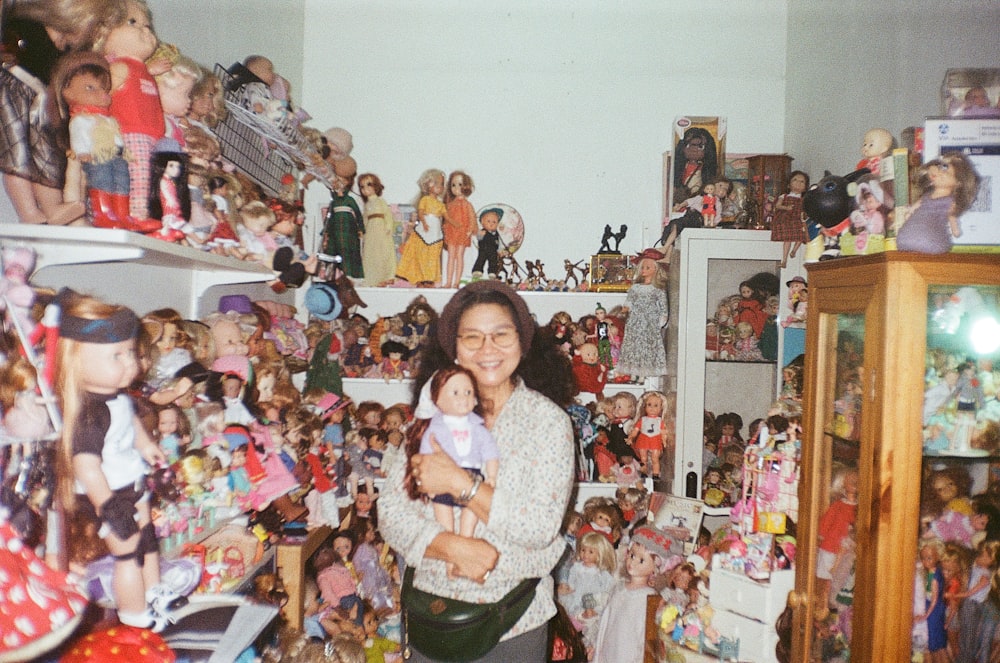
132 269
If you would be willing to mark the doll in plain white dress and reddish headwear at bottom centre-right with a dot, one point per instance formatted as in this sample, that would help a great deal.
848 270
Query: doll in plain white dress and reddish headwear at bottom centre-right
620 635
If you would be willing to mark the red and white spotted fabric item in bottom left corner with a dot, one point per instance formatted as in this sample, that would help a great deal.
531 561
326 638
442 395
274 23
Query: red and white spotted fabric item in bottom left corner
39 607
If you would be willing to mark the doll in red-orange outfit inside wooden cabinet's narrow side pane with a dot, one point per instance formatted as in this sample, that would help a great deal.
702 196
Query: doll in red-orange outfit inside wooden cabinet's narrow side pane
835 526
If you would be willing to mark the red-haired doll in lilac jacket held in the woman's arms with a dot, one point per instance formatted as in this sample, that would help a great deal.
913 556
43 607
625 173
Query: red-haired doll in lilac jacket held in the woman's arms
446 414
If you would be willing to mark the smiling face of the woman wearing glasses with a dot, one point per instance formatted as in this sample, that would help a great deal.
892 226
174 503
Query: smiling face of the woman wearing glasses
491 364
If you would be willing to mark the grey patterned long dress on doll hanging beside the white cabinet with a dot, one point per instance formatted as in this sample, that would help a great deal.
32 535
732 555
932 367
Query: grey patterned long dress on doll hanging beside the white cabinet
642 352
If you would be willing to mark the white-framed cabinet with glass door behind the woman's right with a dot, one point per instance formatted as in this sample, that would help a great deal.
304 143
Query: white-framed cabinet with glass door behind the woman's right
713 262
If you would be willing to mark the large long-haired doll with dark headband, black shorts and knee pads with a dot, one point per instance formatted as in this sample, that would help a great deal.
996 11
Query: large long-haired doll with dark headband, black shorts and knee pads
106 452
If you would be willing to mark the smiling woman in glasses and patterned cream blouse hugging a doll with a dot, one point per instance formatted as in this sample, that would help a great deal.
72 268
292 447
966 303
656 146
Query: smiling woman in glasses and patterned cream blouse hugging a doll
487 328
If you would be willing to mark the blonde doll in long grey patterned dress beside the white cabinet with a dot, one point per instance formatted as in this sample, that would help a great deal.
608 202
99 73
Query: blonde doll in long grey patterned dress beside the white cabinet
643 353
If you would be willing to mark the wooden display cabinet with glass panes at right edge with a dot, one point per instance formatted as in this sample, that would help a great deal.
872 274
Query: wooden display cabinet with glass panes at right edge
871 323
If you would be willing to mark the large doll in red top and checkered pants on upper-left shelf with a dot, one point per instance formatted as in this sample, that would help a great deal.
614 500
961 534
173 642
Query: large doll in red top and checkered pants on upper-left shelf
135 101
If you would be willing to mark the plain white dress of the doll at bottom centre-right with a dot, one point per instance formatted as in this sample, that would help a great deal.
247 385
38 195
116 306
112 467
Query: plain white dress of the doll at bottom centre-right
620 634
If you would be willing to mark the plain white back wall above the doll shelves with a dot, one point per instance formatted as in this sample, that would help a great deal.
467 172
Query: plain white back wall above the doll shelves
561 109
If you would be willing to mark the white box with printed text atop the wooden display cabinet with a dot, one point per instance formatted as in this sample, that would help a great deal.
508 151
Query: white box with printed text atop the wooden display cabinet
979 140
